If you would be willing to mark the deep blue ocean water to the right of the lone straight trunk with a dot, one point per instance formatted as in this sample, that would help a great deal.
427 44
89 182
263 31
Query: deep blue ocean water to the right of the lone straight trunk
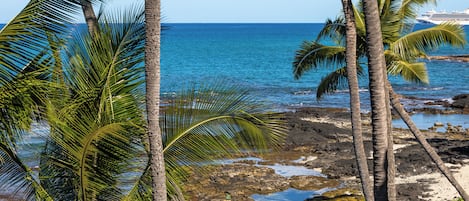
260 56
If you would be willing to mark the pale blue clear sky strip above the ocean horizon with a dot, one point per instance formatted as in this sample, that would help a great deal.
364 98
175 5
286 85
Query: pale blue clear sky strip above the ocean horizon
240 10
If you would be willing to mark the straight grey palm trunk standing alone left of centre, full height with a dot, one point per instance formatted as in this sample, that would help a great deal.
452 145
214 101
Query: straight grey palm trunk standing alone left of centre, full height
152 76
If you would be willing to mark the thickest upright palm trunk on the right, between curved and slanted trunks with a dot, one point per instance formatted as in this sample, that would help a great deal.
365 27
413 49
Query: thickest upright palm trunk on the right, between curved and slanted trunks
376 64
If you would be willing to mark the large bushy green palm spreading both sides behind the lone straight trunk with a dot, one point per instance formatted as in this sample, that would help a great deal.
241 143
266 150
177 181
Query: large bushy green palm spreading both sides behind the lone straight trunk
97 128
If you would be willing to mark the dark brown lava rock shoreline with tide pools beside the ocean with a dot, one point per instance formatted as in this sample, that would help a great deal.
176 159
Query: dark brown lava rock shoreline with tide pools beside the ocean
322 138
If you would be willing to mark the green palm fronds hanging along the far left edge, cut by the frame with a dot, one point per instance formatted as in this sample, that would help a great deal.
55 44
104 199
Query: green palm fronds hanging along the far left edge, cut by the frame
23 48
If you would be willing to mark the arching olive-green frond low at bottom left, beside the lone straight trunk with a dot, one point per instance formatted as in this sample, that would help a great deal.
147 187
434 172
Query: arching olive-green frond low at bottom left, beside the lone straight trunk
94 156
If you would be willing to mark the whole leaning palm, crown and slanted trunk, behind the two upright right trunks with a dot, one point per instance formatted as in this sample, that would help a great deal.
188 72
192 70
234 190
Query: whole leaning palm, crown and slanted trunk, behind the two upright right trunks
404 48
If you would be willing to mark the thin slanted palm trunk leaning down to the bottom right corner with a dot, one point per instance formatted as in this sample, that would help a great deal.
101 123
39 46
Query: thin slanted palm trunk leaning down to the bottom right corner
421 139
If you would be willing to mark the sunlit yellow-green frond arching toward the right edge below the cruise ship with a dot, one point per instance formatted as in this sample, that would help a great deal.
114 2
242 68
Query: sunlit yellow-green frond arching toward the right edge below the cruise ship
428 39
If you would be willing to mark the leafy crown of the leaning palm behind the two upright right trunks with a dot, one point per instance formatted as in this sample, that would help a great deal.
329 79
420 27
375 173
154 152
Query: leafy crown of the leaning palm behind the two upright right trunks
403 47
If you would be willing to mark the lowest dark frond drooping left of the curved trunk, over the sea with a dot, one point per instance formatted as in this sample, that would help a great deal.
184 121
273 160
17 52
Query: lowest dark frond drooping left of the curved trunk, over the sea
334 81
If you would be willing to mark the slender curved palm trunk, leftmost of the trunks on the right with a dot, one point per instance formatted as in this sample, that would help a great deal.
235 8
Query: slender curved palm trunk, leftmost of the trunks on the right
351 59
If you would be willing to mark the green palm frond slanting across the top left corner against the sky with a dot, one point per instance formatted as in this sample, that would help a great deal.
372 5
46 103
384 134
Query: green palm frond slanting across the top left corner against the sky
24 37
